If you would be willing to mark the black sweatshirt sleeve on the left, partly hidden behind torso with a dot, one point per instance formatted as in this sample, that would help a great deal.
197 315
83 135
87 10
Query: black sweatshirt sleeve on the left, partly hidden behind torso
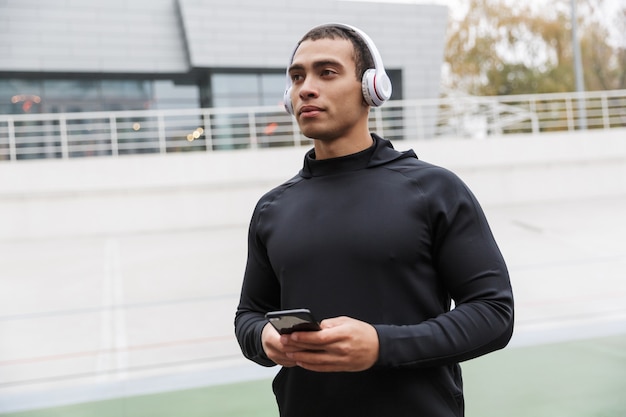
260 293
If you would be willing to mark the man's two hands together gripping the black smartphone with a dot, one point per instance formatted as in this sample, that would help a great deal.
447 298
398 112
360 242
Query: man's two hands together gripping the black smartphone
343 345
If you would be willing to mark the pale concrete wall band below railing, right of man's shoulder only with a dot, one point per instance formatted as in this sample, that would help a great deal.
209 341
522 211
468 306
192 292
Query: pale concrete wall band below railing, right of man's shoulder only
529 169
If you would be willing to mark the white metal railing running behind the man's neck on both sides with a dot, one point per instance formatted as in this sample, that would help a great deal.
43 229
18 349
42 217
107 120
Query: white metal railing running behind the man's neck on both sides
70 135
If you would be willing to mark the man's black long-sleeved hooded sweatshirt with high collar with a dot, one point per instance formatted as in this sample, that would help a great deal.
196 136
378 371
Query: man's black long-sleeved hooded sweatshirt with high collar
388 239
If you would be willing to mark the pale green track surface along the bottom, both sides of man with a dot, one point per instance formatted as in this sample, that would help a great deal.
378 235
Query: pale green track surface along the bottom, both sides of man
574 379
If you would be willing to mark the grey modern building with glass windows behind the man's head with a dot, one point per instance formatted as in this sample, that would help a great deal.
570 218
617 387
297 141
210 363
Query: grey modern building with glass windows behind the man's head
60 56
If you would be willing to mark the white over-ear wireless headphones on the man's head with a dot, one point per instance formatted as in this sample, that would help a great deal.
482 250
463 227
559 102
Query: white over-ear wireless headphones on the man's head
375 84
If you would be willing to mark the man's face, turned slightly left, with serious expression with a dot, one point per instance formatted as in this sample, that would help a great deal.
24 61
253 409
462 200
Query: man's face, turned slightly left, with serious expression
326 95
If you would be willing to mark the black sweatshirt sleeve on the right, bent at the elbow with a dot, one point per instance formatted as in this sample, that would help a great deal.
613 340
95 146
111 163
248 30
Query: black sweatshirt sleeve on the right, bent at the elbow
470 266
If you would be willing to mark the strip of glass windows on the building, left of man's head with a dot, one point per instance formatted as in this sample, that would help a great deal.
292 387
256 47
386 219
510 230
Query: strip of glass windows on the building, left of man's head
70 95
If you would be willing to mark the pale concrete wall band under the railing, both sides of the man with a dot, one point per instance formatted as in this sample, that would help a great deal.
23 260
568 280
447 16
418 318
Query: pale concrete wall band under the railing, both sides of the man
82 197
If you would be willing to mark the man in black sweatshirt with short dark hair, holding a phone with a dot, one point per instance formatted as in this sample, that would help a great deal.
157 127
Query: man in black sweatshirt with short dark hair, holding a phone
376 243
